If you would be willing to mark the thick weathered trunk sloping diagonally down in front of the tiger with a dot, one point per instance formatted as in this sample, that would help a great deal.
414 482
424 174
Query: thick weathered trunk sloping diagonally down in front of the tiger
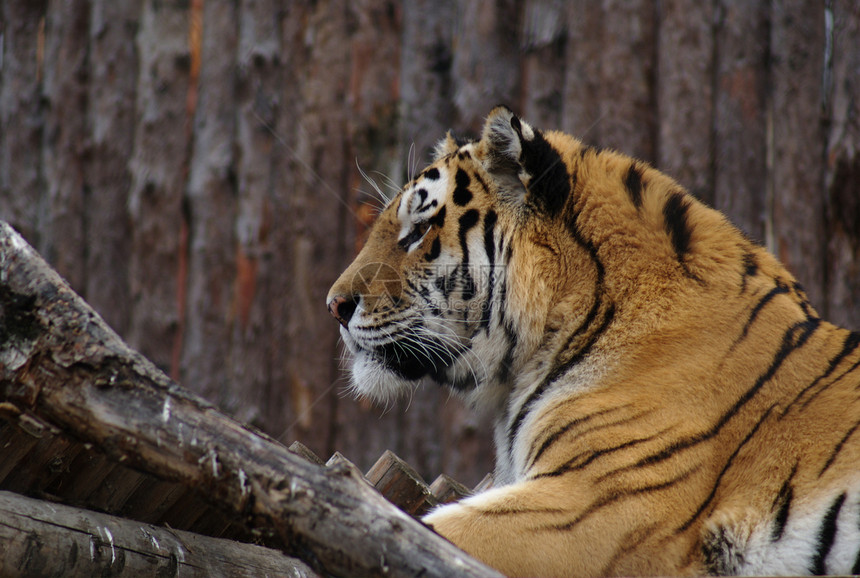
61 366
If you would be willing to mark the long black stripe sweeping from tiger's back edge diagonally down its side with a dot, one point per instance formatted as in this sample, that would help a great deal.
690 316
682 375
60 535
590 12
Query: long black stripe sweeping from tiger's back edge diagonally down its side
794 339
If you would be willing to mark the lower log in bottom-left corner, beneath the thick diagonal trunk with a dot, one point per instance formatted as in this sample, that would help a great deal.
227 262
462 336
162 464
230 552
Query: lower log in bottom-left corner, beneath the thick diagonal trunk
42 539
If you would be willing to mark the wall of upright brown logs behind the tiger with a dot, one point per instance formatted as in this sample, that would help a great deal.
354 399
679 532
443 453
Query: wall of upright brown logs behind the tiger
192 167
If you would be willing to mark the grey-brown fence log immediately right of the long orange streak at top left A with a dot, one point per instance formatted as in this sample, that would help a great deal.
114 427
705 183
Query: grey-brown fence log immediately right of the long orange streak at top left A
210 209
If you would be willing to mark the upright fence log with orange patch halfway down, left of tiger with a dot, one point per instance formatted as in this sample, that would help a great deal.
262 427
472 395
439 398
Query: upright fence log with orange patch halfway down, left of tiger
261 266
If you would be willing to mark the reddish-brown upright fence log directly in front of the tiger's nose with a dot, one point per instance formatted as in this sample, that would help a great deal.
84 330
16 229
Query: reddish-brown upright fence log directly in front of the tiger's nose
313 181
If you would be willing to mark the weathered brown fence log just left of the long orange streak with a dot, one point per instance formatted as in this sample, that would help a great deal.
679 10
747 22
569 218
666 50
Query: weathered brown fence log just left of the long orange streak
158 169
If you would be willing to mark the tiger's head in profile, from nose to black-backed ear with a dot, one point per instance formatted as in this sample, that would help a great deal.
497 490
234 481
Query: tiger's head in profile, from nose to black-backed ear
430 294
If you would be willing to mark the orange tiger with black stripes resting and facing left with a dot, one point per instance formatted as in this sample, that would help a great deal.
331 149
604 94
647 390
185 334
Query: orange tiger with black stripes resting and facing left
664 397
